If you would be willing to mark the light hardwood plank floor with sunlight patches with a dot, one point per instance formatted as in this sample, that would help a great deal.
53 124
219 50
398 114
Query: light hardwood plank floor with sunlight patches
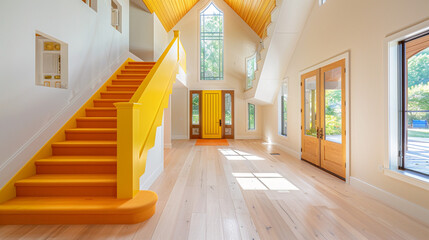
208 193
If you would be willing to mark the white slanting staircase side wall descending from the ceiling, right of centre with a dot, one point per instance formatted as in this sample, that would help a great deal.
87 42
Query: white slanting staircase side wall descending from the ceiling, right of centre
288 20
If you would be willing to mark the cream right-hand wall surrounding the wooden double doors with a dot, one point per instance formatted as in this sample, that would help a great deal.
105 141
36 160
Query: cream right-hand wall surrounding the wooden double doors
359 27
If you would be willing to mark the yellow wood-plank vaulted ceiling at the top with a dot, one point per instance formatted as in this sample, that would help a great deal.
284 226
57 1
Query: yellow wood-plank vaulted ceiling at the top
256 13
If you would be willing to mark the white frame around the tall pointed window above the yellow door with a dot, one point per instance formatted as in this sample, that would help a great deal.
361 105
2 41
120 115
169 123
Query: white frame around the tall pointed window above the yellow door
220 81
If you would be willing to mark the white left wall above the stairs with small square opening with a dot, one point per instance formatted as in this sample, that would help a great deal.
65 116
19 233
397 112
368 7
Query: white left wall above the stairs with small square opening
30 114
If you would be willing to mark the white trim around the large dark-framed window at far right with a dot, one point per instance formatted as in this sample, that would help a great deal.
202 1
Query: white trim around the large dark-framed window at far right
390 56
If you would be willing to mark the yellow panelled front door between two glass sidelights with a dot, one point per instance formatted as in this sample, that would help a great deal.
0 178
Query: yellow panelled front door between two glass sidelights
212 114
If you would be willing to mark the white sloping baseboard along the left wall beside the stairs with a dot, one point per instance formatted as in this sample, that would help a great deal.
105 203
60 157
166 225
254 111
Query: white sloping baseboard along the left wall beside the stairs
22 155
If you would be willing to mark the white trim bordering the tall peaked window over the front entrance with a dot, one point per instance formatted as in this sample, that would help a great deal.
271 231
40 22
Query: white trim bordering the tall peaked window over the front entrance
199 44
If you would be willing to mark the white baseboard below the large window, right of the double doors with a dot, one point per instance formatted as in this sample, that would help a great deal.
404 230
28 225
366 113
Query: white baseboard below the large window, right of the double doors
404 206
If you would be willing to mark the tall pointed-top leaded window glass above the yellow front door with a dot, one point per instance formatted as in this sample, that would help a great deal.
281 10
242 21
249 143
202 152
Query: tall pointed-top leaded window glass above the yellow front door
211 43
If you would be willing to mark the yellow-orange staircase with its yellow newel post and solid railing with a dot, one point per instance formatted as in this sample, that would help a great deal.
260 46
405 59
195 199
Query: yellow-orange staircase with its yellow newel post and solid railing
79 182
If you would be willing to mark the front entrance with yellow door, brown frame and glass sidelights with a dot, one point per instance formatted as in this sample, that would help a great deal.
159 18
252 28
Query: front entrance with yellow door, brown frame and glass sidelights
211 114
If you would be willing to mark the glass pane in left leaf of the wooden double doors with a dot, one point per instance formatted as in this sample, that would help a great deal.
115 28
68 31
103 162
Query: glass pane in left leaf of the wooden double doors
310 106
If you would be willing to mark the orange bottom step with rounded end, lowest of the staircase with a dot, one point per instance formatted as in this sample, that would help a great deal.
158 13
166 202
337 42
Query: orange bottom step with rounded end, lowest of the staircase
78 210
